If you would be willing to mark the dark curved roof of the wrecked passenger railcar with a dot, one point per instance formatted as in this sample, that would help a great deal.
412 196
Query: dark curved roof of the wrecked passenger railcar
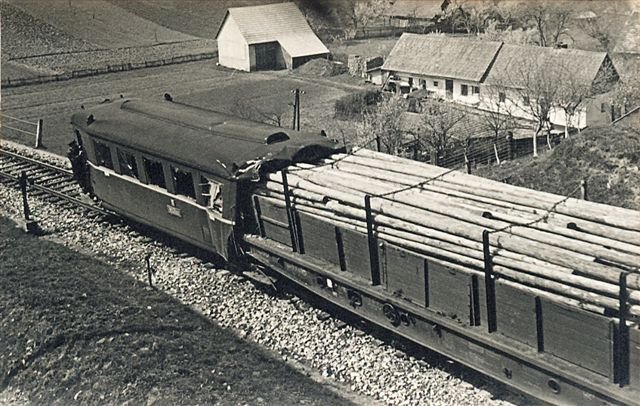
230 147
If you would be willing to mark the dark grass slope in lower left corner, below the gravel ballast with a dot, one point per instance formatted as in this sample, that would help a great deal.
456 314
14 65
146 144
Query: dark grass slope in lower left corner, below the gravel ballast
73 328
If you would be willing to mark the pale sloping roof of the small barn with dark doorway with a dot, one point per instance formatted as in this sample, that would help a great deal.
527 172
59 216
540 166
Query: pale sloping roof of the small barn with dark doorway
281 22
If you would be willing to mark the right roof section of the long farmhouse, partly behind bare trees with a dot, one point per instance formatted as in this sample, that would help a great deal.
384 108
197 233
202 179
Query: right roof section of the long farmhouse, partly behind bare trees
515 60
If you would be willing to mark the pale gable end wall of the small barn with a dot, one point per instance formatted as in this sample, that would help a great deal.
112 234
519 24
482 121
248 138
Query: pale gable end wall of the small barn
233 50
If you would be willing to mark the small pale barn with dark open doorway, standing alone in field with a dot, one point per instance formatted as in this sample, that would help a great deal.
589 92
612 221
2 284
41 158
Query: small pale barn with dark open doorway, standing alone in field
272 36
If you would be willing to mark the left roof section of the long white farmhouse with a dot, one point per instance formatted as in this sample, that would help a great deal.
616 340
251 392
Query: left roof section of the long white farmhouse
440 56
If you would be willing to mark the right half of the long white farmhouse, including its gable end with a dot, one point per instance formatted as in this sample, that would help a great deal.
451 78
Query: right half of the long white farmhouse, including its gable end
587 74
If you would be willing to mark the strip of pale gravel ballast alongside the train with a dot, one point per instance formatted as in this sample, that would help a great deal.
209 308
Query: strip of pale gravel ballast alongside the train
295 332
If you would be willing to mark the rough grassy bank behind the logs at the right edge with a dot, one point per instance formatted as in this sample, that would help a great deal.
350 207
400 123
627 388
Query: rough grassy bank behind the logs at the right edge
608 158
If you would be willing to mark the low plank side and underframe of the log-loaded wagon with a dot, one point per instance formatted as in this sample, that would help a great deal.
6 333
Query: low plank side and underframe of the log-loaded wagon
547 349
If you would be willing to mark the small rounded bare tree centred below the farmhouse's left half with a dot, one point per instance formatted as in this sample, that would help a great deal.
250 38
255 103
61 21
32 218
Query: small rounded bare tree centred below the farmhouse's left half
442 123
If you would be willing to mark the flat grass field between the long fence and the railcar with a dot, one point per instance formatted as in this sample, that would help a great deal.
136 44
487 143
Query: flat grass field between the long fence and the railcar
199 83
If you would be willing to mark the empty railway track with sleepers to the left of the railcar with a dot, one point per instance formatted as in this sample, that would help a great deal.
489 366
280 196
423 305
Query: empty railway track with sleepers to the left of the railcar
46 181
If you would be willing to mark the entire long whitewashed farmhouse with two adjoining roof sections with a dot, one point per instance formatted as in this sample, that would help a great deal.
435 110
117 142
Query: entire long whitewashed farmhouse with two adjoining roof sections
492 75
